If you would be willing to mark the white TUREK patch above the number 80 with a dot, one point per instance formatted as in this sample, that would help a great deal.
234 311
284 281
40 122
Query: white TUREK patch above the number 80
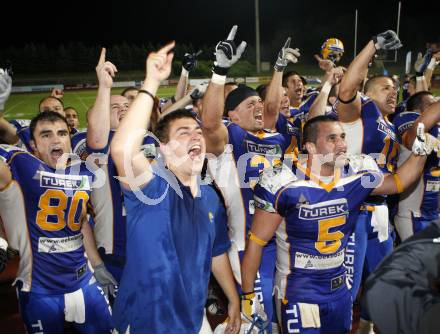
63 181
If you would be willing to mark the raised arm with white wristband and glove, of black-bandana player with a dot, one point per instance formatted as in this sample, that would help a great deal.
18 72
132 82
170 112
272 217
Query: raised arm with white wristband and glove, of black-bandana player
214 131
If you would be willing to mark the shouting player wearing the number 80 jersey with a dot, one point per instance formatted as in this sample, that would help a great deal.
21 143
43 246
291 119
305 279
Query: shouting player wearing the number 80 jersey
43 201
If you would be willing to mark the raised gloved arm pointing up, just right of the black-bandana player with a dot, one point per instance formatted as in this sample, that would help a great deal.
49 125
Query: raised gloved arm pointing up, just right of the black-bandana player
275 88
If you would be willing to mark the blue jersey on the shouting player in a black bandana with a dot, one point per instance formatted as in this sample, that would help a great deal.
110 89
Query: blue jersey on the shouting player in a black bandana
253 152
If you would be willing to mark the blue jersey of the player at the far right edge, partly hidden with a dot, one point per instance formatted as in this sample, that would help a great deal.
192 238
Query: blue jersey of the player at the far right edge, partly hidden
431 174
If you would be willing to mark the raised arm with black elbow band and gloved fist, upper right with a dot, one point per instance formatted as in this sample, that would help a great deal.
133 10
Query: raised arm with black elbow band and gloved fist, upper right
349 106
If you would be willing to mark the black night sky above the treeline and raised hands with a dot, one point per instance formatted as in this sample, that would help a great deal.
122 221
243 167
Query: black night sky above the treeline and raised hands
204 22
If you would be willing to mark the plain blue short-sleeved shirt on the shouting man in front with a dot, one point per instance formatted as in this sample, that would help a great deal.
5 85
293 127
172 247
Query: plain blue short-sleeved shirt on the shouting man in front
170 245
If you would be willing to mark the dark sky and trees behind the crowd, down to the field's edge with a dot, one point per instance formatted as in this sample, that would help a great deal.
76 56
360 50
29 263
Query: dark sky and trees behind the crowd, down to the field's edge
68 34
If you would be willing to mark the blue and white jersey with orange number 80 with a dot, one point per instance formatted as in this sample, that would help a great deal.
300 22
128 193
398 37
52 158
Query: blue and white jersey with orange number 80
49 207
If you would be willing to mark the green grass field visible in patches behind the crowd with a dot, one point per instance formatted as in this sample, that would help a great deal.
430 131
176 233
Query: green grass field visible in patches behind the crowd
25 106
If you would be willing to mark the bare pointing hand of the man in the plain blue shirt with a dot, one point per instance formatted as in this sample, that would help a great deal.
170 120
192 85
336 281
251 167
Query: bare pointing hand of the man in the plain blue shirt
159 63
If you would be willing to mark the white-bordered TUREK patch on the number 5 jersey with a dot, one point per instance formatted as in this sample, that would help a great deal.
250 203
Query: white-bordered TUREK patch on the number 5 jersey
327 209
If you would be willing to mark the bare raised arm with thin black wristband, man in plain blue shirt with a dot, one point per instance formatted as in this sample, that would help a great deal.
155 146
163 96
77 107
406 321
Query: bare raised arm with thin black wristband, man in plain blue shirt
127 141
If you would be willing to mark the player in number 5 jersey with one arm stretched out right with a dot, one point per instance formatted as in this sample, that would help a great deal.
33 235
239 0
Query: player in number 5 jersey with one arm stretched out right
313 213
